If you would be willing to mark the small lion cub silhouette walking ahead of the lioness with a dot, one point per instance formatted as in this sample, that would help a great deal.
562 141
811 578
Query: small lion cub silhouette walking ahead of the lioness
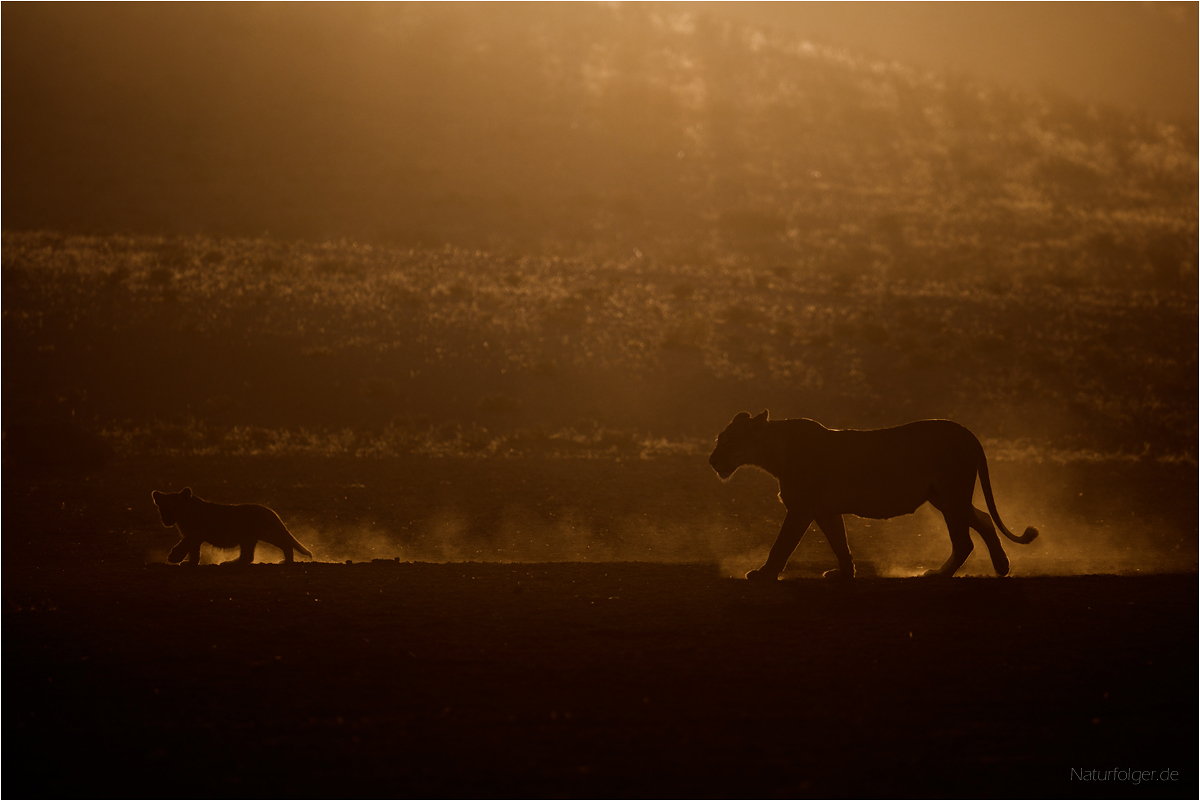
223 526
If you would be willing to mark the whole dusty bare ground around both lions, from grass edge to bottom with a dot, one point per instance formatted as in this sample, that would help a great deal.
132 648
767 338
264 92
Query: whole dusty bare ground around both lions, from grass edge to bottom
611 673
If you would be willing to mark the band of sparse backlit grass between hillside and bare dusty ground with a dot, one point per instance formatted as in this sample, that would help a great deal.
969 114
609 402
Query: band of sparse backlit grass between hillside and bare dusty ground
448 334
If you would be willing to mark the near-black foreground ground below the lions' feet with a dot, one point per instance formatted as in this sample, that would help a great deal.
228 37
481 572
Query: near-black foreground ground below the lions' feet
608 679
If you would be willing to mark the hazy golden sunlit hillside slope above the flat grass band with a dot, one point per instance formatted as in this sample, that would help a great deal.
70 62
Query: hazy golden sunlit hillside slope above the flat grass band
580 131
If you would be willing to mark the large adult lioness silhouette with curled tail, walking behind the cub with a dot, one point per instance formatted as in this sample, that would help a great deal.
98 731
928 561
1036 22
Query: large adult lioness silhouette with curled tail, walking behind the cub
826 473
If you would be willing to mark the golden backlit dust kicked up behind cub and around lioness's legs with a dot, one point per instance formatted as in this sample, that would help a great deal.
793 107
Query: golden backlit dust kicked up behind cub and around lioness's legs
898 549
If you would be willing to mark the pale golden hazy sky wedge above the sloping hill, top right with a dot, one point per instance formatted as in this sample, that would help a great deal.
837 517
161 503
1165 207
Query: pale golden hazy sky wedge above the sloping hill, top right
1132 55
